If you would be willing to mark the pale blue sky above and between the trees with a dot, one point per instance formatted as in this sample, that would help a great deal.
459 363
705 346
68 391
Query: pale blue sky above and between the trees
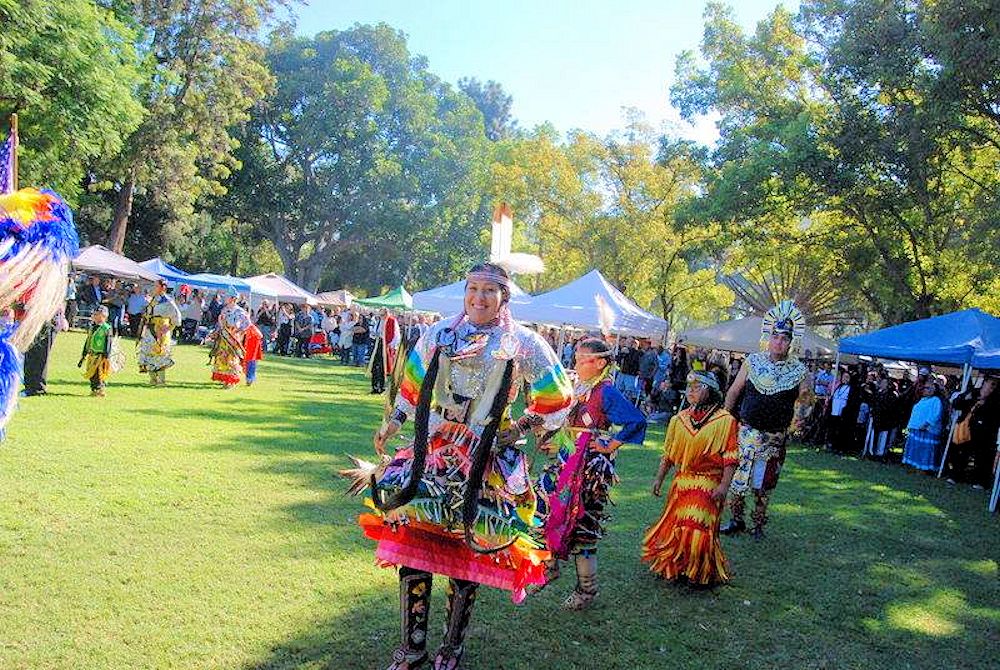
576 64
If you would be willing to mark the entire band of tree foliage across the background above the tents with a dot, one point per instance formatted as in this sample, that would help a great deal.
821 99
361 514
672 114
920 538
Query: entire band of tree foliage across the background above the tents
855 170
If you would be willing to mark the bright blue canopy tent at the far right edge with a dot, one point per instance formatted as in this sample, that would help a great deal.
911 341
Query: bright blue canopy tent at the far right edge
969 338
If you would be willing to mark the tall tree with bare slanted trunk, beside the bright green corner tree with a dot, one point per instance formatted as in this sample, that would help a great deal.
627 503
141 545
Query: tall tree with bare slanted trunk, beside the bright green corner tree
203 68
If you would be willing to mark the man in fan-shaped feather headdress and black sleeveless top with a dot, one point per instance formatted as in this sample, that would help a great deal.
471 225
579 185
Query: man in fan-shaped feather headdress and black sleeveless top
763 397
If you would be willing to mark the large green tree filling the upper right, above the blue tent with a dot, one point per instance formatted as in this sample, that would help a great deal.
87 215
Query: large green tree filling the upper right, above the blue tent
844 110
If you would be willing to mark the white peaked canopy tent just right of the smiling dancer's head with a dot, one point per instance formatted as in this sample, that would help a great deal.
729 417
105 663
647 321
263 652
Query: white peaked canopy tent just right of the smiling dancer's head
577 304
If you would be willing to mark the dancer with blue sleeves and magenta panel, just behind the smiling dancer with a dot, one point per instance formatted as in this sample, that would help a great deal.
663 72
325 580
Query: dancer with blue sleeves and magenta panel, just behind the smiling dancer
577 487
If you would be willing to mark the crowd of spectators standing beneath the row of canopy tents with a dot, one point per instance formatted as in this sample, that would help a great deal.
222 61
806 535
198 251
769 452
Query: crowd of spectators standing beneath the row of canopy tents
858 410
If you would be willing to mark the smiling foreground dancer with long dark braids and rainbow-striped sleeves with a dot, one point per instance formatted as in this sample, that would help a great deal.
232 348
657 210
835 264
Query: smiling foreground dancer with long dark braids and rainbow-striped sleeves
459 501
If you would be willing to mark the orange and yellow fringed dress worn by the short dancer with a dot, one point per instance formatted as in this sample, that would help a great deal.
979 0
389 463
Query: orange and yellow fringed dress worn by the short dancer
684 542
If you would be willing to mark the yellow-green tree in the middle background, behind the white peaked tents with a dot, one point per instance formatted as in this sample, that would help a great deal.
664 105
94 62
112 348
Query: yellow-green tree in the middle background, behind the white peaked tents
613 203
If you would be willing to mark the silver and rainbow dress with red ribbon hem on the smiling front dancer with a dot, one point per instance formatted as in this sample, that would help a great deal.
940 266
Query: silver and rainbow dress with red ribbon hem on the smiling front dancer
472 363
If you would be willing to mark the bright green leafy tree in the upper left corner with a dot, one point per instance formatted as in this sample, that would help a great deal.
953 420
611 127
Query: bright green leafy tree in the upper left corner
68 68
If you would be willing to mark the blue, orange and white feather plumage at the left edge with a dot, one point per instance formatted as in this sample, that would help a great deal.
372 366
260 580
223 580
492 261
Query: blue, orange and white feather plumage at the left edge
37 242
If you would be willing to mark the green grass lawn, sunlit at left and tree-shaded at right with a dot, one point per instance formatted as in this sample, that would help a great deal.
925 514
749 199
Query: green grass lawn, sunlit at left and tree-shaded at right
190 527
